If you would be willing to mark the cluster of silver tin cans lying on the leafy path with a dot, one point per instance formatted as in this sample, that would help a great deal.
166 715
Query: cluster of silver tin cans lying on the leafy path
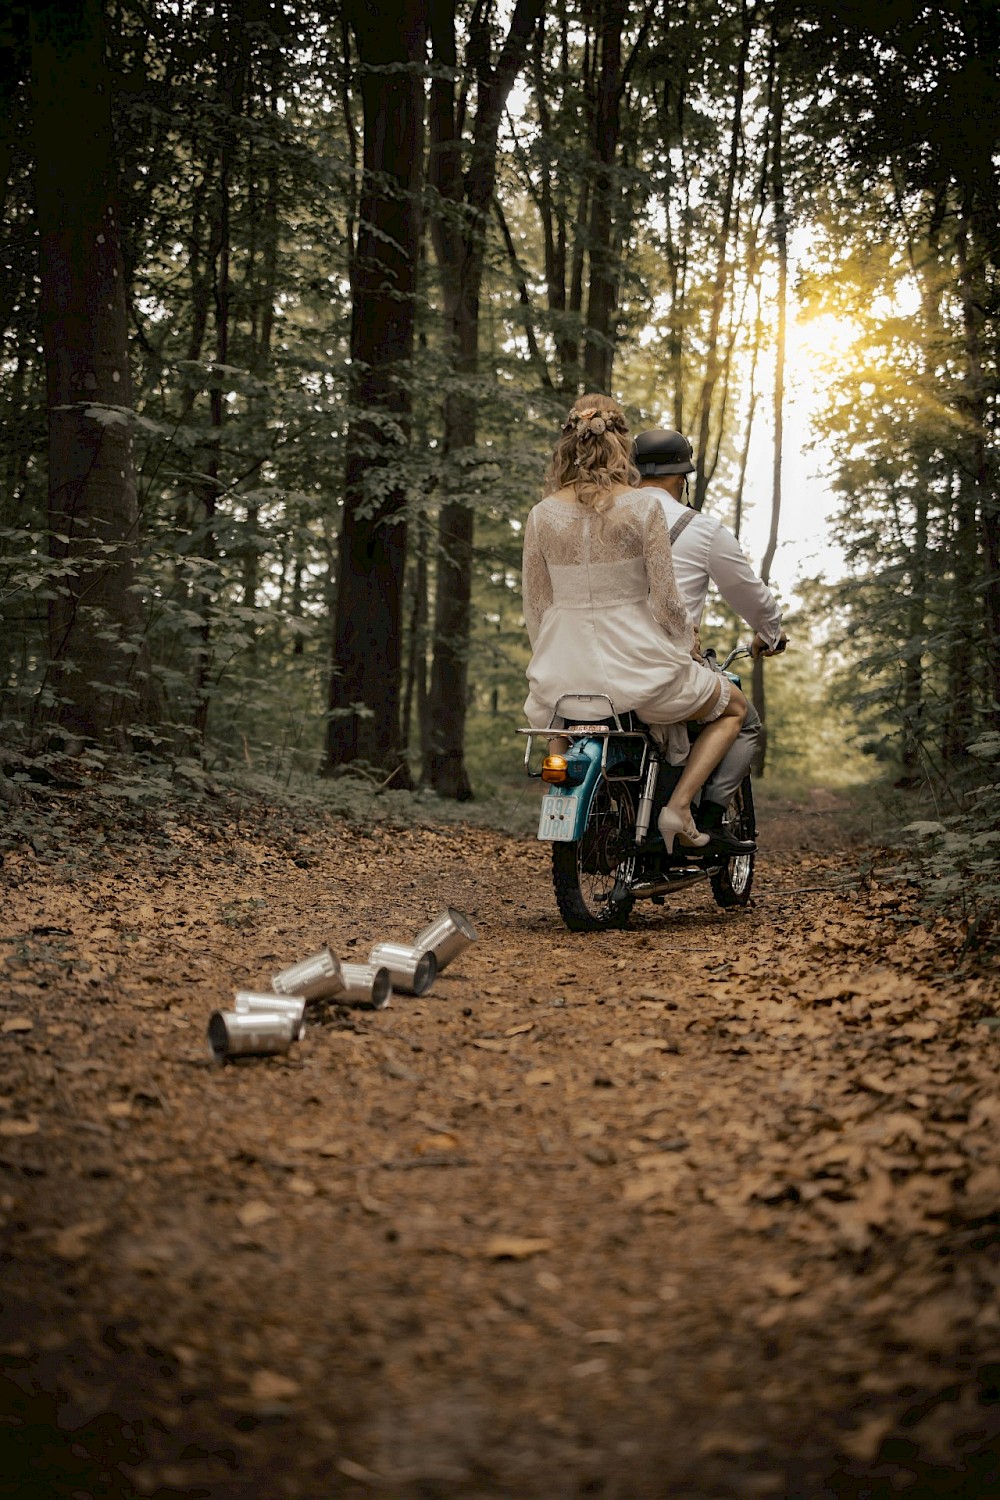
269 1022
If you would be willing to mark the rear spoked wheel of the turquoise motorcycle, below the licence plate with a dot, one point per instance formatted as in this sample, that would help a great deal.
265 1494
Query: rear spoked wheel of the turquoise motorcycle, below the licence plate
591 875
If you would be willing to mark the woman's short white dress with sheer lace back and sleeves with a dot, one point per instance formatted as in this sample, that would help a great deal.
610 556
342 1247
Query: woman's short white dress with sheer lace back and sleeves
605 616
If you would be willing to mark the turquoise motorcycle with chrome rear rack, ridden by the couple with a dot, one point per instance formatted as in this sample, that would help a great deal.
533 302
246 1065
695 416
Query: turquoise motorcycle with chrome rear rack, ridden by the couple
605 793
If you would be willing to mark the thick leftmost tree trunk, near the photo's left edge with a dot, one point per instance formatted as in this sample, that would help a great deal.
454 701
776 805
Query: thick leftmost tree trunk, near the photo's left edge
101 671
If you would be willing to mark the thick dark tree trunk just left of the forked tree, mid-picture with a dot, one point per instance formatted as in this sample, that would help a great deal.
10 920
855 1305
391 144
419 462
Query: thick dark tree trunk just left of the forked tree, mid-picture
367 676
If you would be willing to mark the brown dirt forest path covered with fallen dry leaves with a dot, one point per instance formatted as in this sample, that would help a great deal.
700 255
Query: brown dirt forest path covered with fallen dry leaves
705 1208
